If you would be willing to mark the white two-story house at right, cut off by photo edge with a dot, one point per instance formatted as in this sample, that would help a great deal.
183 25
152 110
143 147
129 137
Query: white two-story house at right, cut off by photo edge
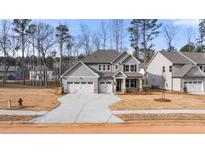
177 71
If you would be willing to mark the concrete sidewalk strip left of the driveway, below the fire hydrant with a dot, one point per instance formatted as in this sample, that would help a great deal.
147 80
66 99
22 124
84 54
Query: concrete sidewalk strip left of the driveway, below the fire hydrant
18 112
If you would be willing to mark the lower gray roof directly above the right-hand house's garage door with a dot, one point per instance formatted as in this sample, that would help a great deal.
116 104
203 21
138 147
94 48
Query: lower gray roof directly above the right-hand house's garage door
189 71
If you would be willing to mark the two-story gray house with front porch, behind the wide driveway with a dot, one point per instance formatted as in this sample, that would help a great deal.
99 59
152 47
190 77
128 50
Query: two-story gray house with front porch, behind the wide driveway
104 71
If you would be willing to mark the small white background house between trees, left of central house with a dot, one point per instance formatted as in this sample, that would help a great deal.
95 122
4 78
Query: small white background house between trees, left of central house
37 73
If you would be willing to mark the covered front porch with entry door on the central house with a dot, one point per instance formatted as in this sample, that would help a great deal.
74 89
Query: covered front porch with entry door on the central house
123 83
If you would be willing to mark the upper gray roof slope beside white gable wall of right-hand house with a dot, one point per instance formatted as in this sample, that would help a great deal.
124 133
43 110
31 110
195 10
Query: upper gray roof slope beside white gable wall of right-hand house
176 58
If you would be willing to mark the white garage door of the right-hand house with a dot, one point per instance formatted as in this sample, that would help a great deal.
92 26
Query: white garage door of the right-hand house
194 86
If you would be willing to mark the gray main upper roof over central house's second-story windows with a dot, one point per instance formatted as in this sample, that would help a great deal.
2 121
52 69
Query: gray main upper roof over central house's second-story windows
101 56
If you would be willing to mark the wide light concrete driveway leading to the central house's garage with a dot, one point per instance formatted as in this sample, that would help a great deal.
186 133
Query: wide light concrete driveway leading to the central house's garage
82 108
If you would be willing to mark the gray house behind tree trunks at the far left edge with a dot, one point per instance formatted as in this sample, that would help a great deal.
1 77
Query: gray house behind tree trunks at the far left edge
13 73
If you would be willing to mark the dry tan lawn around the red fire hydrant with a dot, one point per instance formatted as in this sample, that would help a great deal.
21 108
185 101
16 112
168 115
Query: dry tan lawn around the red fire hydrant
35 99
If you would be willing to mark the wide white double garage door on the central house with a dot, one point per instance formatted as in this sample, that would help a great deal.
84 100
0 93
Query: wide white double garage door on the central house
80 87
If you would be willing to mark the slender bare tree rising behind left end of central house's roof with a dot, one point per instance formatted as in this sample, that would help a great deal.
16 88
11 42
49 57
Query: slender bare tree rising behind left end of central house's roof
85 39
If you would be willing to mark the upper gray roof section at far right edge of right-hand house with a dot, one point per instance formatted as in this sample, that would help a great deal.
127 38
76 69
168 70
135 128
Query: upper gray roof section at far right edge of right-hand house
198 58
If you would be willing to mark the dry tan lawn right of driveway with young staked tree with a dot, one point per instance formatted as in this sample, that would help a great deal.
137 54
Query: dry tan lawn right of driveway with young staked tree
144 102
